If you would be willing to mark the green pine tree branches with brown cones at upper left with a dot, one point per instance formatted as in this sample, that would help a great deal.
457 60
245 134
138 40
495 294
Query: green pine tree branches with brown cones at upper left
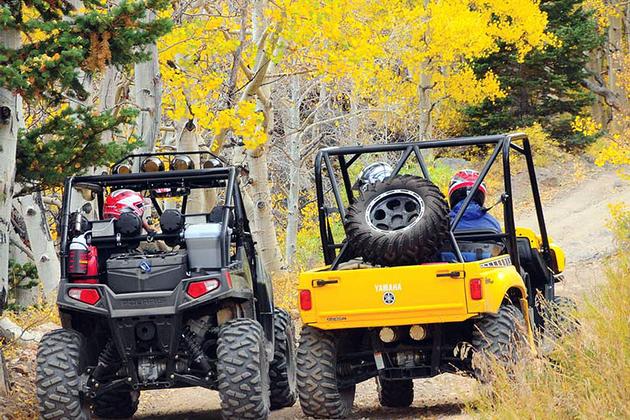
62 45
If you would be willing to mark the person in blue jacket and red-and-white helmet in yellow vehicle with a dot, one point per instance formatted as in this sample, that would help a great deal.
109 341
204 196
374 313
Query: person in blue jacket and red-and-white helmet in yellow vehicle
475 217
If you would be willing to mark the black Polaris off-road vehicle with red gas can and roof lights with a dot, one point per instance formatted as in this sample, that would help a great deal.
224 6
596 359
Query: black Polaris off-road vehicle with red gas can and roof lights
185 303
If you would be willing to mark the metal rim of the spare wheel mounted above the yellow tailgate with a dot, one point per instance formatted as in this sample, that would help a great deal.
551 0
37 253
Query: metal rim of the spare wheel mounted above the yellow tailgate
394 211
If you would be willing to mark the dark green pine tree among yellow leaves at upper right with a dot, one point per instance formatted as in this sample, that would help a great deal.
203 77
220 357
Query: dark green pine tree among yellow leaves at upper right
547 86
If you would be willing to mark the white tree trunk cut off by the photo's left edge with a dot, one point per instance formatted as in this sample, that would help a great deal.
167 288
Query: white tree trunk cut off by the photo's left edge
10 120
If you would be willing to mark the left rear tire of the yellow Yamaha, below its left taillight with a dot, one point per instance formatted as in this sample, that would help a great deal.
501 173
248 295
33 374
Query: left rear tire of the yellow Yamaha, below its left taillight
317 376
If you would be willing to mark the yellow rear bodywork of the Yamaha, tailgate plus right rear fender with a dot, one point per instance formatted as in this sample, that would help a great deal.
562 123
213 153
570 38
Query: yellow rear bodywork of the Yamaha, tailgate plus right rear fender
422 294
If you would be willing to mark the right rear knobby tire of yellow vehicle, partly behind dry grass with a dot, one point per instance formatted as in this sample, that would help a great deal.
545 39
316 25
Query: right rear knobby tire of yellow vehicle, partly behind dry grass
498 339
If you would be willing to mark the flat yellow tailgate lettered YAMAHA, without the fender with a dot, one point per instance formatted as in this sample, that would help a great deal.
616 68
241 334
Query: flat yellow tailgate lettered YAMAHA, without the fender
385 296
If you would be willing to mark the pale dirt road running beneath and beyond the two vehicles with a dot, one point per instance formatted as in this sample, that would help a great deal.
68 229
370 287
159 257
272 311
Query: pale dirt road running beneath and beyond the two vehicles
576 220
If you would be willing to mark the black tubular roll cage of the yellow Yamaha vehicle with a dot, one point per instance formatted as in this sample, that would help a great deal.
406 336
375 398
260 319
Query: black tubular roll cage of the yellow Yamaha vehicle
503 145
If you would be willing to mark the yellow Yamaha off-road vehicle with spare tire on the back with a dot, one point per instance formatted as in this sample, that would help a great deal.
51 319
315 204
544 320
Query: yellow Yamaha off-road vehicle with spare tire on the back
405 294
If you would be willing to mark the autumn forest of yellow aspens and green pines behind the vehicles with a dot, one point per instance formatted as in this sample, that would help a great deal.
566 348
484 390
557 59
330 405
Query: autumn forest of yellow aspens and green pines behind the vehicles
266 84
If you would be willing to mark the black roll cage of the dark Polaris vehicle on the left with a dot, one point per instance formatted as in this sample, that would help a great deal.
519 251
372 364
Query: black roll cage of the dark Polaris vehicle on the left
176 179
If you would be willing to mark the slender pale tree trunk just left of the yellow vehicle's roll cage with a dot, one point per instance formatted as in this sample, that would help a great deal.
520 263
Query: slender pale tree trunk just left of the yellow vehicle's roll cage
291 125
